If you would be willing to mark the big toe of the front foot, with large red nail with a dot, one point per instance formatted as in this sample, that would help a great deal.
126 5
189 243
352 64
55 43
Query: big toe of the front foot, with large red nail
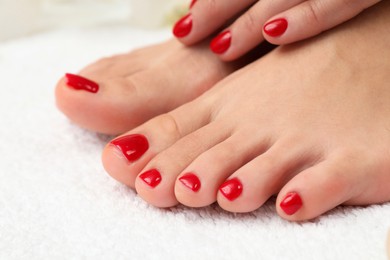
147 140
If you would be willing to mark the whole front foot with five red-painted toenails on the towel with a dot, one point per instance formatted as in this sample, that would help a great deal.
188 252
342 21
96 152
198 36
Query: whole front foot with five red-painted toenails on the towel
309 122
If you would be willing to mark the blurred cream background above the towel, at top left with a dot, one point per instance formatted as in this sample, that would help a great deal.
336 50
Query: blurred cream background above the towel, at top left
20 18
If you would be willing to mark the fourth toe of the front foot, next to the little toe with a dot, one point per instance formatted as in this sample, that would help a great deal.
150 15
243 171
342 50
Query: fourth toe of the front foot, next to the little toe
264 176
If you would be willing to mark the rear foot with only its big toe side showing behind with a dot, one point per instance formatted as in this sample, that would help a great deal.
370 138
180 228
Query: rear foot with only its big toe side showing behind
118 93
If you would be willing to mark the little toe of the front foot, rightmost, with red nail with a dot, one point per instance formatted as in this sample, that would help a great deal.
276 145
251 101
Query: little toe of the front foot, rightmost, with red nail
321 188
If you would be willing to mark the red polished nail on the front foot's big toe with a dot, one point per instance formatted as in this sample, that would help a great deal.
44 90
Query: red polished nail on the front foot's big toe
132 146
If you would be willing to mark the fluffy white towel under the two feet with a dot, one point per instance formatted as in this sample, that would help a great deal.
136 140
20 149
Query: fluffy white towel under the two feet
57 202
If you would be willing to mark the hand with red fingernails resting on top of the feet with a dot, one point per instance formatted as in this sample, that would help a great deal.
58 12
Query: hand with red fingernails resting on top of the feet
279 22
